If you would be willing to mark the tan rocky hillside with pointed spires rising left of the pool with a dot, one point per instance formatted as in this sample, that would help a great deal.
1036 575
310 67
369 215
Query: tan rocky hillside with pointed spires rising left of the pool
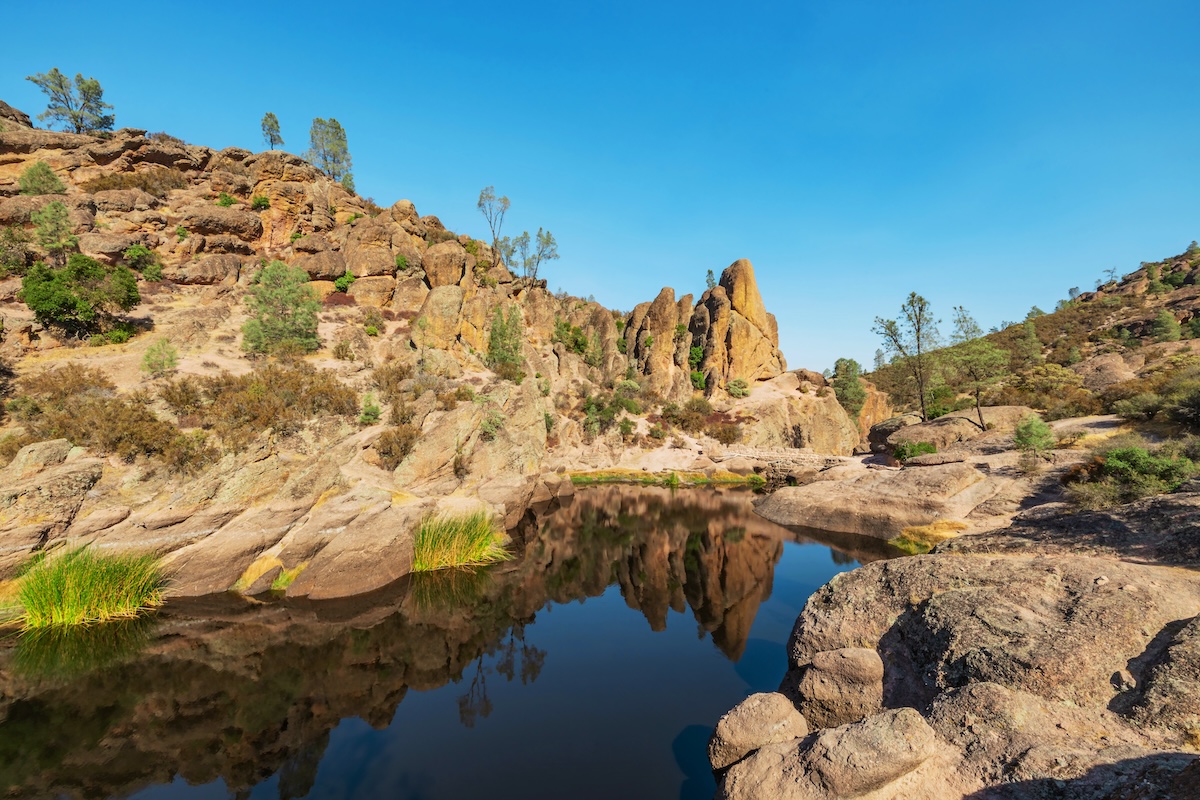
321 495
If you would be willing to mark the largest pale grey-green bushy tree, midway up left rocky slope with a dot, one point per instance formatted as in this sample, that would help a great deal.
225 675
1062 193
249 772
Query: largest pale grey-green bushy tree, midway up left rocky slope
285 311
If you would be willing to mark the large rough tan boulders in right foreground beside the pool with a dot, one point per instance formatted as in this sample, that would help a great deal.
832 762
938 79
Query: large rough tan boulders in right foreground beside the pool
1059 658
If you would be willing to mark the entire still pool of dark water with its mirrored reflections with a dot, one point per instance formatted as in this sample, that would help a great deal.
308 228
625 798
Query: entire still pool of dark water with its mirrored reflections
595 667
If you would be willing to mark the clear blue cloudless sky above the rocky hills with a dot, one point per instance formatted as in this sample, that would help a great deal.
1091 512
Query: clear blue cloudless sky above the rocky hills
983 154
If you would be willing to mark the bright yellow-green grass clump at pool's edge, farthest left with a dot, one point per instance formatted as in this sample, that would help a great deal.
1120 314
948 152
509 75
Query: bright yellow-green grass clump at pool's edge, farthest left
82 587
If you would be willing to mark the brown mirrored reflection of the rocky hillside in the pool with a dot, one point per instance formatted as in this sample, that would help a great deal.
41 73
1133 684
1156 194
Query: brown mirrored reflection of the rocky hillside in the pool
233 689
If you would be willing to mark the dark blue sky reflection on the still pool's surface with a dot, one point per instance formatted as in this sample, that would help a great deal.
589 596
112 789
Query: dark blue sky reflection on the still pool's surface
616 711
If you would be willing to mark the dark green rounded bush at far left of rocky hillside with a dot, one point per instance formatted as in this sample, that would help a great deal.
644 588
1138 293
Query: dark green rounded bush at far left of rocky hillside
85 296
